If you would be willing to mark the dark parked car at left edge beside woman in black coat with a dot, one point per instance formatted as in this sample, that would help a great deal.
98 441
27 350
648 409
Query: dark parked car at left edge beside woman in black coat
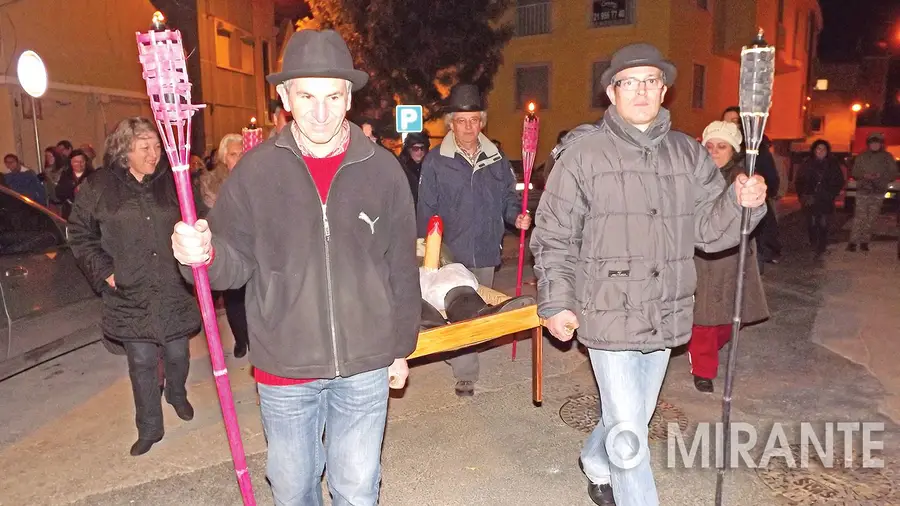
48 307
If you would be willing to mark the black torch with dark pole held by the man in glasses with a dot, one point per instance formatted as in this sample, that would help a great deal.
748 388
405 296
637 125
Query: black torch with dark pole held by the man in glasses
755 93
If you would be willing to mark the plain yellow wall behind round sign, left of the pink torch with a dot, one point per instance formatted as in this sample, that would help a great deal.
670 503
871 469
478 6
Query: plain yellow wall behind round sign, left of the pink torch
95 78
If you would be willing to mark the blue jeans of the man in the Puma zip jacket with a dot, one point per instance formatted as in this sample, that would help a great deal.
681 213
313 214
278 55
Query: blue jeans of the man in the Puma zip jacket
351 412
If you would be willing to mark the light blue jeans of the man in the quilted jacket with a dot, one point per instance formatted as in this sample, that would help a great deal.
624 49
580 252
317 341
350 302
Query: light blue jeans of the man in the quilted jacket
629 383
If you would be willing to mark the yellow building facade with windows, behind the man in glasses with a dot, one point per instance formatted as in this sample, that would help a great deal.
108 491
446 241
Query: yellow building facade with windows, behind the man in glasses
562 47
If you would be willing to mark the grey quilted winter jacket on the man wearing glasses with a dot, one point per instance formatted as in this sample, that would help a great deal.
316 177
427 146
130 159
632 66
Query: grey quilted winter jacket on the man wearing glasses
616 229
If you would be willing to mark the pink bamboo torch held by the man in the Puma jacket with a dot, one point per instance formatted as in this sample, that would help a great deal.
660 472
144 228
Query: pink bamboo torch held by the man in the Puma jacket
162 57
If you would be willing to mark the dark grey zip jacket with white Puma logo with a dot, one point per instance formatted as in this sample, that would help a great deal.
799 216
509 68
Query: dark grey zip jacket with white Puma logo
332 289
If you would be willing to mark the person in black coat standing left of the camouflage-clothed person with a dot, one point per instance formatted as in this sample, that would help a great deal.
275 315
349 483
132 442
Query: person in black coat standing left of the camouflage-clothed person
819 181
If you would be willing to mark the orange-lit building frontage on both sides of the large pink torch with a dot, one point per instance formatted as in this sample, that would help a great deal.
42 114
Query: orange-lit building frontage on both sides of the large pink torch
95 77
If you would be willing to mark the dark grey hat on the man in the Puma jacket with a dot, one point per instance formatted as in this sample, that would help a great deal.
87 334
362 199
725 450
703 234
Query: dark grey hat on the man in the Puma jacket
314 53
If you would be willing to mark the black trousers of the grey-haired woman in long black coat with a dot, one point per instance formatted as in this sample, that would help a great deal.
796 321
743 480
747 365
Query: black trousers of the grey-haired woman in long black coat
143 369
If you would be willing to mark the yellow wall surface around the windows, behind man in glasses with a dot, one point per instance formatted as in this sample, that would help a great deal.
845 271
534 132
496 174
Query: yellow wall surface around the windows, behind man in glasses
681 30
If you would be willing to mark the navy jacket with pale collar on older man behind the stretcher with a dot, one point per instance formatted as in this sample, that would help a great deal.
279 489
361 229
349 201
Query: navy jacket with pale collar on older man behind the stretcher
475 203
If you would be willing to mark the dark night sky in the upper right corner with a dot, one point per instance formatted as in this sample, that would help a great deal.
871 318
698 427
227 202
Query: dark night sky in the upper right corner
854 27
